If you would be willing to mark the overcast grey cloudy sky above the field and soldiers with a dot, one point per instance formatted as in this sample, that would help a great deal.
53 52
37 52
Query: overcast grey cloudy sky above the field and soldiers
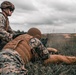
50 16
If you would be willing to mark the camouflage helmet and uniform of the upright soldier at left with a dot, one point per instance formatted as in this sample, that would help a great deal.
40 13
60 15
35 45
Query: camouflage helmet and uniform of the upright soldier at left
6 32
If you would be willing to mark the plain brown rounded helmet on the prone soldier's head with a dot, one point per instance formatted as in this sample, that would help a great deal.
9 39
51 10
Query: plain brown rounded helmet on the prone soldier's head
34 32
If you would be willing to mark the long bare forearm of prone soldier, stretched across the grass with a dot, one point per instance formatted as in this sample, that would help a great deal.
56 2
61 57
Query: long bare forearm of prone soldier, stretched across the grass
61 58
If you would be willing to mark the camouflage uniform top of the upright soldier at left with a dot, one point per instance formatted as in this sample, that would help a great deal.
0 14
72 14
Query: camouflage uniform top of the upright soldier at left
5 29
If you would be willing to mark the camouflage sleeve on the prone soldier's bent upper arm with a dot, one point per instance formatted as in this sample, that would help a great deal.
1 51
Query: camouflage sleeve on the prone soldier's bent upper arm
39 48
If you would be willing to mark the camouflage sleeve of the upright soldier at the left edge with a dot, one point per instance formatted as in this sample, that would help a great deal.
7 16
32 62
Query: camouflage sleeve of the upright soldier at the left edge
4 35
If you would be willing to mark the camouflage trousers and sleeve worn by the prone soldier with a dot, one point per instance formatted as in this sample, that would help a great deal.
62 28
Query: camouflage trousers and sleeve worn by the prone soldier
11 62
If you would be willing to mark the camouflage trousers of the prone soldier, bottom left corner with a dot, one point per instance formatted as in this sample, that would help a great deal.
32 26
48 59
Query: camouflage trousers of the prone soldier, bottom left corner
11 63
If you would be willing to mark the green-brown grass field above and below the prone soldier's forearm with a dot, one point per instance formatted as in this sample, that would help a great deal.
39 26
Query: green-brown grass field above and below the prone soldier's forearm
66 46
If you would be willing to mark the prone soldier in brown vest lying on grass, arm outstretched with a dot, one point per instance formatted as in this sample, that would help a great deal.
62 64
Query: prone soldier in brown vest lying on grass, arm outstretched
20 51
